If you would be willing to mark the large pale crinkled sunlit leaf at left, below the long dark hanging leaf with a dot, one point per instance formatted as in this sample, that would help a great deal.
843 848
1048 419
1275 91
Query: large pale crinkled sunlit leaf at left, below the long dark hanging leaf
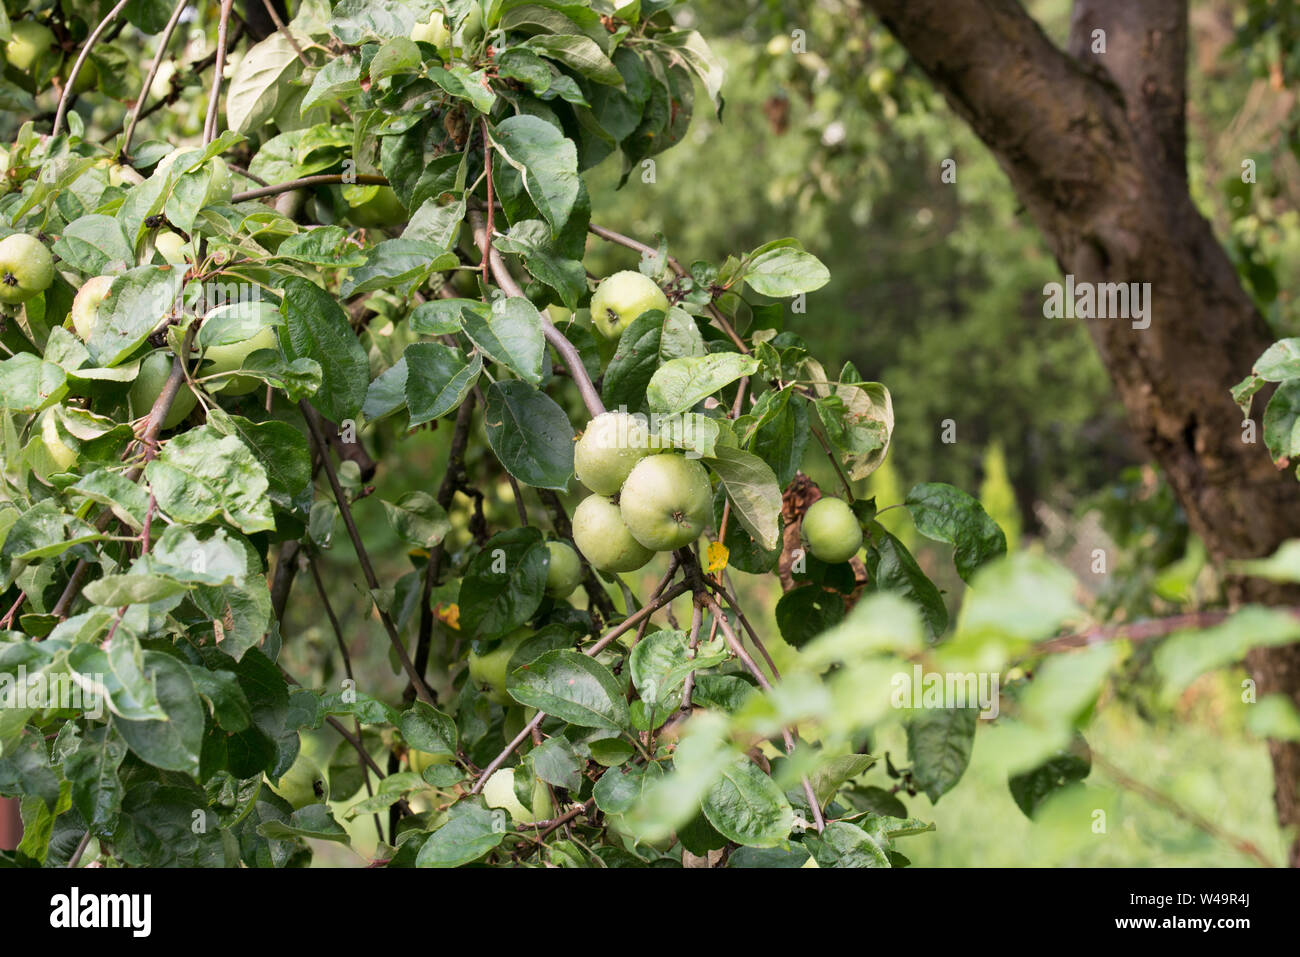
202 475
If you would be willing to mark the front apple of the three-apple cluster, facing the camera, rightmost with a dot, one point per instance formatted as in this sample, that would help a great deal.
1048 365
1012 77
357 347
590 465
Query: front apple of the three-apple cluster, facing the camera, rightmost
666 503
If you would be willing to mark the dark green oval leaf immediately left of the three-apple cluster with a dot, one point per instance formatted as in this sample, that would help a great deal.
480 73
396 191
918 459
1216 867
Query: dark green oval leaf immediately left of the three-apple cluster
531 435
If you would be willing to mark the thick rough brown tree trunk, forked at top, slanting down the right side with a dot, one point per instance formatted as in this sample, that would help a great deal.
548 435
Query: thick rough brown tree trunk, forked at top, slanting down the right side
1095 148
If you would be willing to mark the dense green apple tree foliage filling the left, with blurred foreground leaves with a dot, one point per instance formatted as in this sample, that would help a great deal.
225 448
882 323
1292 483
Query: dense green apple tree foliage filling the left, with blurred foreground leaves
339 210
